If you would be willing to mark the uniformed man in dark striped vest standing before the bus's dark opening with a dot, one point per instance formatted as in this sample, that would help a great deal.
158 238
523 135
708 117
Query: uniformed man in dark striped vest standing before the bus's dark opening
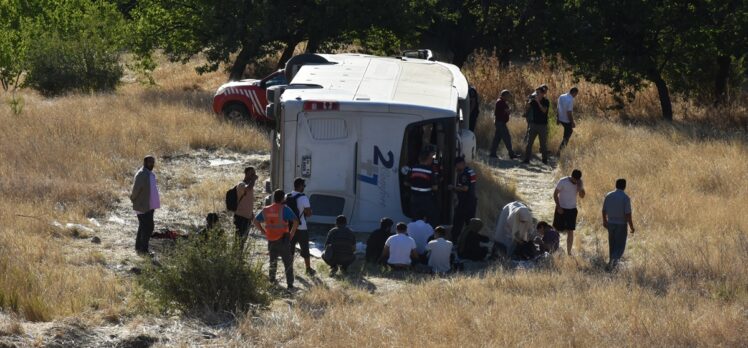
423 184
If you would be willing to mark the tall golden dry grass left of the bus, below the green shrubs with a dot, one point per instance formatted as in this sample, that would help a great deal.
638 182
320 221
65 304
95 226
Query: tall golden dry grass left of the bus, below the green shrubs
67 158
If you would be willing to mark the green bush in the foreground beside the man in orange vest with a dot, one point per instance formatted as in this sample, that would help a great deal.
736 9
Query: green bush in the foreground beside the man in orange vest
206 275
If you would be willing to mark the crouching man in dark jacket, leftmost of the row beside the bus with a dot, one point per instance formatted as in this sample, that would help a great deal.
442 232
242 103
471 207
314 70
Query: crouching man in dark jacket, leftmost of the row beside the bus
340 246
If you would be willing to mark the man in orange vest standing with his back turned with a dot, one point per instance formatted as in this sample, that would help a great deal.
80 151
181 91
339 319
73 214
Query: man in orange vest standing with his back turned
276 218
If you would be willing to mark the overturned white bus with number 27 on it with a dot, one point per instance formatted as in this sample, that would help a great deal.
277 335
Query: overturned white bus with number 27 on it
351 125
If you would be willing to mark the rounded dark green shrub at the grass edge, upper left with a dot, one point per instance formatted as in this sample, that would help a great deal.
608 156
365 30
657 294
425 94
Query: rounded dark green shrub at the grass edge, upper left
57 67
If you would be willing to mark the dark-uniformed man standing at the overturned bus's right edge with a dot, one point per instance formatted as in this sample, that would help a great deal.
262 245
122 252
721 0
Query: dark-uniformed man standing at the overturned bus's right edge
467 202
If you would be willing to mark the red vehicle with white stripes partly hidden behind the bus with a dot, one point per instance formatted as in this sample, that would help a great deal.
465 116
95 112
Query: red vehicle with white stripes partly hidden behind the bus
245 100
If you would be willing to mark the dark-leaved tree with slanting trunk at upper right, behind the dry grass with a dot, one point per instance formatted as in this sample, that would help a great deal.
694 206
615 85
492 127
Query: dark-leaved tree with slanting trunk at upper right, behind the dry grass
624 44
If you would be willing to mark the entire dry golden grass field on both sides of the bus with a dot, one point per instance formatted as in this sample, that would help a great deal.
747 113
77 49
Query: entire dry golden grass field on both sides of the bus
684 281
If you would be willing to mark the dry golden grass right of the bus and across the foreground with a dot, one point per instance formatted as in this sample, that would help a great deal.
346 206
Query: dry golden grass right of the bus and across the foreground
683 284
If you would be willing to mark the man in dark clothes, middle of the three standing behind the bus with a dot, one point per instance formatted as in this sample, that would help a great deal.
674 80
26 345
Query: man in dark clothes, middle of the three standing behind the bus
537 123
